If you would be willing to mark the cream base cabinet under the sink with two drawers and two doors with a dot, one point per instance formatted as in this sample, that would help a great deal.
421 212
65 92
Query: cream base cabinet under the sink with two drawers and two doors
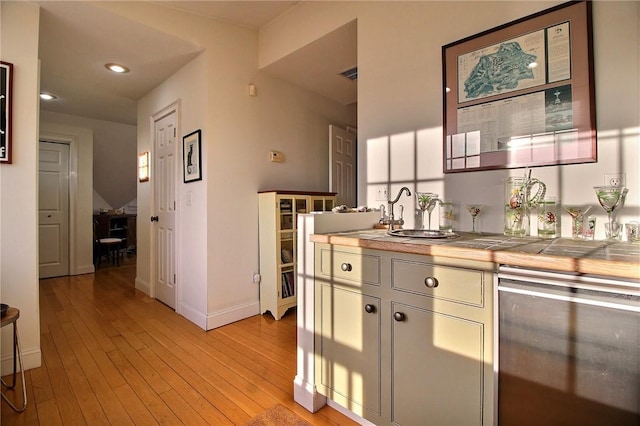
405 339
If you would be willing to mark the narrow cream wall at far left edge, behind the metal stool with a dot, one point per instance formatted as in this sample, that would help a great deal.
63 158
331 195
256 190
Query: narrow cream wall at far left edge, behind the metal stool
18 184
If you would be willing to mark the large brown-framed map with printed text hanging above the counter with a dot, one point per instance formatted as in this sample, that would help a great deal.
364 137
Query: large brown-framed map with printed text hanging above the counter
522 94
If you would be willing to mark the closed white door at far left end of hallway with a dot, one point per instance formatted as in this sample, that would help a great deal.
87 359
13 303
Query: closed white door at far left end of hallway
53 209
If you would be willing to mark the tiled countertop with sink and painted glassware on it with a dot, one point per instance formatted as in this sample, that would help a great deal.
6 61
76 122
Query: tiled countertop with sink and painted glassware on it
614 259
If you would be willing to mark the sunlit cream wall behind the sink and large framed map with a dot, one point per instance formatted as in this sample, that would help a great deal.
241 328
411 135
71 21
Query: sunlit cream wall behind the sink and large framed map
400 100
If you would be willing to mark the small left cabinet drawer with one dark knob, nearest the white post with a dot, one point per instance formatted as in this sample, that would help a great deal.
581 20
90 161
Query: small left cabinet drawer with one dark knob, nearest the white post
353 267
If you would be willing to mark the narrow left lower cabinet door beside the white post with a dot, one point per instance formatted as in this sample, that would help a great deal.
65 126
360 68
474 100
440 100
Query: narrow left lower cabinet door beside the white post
349 347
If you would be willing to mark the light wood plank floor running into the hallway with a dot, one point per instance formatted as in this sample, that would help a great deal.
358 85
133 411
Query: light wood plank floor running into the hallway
111 355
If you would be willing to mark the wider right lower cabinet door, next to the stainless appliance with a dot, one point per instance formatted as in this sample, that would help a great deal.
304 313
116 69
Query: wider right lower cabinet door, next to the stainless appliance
437 368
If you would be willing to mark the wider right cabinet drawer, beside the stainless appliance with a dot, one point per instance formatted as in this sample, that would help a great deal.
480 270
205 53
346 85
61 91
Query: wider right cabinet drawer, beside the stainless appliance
449 283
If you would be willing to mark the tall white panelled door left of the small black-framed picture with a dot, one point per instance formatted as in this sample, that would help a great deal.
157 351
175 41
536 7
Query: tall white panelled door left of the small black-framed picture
164 178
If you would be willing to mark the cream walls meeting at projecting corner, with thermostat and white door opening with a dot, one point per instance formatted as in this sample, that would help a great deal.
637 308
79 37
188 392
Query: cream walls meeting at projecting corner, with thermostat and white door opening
218 232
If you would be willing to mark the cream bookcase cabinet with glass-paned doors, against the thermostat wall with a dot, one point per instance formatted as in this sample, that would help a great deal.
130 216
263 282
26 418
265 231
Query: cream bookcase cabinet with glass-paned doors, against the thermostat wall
278 251
